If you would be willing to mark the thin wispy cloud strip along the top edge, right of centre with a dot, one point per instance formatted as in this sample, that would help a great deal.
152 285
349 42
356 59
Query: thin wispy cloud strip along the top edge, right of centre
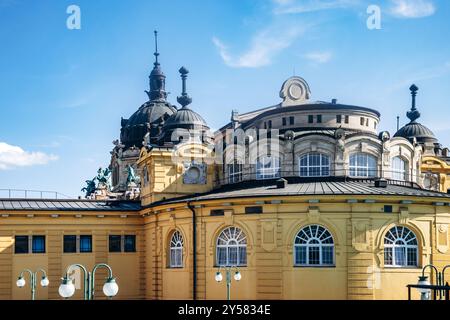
303 6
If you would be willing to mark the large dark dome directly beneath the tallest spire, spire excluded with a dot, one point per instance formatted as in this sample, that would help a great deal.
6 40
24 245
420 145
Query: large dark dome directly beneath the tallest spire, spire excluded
147 118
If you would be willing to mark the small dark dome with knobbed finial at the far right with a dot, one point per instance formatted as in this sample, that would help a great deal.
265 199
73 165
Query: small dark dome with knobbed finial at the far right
414 129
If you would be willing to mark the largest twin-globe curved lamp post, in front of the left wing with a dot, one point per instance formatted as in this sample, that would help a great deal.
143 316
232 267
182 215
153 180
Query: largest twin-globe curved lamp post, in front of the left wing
67 288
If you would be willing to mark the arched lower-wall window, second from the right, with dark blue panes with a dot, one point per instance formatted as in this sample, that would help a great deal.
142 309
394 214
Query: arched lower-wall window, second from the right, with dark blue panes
314 246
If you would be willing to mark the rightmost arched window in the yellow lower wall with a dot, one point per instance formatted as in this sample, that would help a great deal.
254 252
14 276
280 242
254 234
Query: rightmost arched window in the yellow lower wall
400 248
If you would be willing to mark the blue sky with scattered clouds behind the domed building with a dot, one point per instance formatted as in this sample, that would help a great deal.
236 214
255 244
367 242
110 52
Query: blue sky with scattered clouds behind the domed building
63 92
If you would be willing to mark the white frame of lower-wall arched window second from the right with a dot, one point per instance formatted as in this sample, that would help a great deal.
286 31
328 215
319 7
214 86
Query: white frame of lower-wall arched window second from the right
309 242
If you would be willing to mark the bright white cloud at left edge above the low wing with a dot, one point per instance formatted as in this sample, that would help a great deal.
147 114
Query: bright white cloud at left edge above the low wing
13 156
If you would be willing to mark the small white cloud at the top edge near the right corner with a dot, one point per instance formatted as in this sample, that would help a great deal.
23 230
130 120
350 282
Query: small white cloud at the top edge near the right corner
412 8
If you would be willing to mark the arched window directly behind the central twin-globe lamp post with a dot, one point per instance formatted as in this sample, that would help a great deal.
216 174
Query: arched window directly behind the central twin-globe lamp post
231 248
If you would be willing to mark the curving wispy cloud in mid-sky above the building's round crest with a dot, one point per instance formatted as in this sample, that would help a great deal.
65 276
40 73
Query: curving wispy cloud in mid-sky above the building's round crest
264 46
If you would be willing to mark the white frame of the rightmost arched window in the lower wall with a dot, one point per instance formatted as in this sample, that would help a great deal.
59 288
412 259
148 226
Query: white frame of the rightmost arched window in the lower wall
392 246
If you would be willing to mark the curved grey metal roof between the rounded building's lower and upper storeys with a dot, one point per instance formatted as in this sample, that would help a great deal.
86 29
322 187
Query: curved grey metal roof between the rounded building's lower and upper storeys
267 188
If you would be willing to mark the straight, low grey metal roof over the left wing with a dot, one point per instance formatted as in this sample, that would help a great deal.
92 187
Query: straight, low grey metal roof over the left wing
67 205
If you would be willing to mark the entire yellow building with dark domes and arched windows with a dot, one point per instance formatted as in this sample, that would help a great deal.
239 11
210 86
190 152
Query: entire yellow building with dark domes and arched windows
306 199
